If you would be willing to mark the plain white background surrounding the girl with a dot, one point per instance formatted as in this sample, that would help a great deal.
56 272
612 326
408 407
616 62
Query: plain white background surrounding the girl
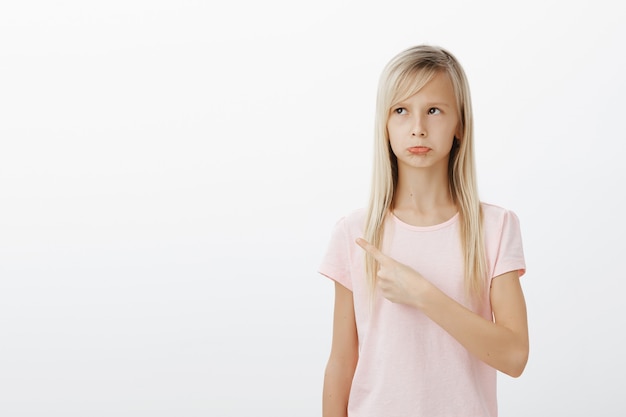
170 172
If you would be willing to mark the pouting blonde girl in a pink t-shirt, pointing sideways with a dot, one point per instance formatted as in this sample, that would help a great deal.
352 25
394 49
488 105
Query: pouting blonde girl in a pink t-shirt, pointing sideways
428 303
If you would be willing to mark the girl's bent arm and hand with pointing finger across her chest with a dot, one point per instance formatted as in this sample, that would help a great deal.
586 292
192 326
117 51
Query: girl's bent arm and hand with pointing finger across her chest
502 344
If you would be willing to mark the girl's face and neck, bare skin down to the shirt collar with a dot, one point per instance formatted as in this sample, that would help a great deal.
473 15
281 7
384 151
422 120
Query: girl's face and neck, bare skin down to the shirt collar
421 132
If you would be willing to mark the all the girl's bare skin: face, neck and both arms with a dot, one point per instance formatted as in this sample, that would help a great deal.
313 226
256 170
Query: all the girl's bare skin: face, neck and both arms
421 132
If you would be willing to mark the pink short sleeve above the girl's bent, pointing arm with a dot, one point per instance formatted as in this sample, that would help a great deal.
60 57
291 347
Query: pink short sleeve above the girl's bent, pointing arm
510 255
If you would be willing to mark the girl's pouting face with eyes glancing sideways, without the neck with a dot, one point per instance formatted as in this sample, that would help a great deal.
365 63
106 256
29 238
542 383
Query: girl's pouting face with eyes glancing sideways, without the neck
422 128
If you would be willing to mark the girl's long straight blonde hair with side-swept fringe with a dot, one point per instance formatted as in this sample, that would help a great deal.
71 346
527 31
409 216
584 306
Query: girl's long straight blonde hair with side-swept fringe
404 76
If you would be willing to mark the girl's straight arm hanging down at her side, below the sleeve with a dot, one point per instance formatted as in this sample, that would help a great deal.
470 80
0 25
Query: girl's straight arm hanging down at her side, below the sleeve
343 356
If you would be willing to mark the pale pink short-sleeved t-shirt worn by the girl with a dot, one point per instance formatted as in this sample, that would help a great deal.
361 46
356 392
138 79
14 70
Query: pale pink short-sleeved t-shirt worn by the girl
409 366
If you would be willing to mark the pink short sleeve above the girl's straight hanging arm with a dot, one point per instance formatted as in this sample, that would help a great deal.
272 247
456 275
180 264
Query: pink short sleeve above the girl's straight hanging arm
336 262
